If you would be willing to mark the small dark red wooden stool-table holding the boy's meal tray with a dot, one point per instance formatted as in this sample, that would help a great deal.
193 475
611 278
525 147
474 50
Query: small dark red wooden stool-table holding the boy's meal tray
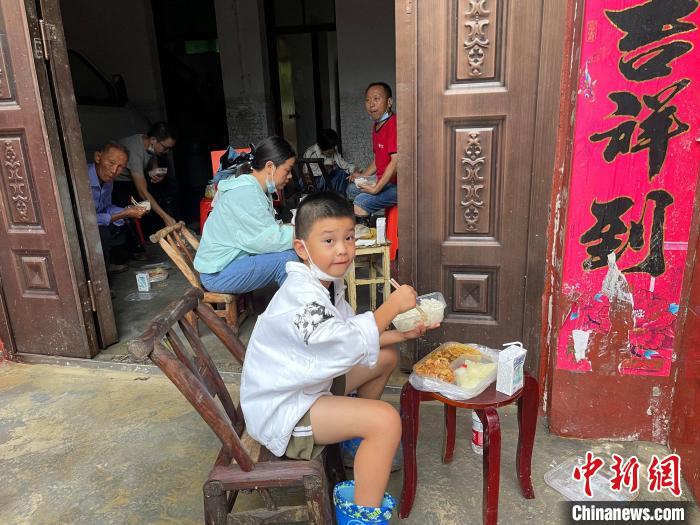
485 405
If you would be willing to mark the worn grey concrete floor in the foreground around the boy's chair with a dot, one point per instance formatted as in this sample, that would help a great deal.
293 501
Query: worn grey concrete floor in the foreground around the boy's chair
93 446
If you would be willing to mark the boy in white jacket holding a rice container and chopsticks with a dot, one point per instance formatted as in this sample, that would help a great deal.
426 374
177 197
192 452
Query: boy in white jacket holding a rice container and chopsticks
309 349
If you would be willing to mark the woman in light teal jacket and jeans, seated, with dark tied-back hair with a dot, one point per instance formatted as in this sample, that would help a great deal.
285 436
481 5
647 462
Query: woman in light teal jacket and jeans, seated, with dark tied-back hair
243 246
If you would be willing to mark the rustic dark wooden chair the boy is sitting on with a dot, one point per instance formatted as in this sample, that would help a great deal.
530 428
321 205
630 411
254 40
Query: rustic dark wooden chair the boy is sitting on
242 463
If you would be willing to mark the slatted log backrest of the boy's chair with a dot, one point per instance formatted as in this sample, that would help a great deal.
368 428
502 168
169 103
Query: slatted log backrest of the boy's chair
189 366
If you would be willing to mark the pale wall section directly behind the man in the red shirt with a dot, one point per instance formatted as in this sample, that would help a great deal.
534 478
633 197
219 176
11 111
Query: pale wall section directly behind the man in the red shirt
366 53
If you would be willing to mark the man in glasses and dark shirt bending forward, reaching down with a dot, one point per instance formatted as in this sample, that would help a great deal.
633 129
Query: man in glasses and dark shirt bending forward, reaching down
143 178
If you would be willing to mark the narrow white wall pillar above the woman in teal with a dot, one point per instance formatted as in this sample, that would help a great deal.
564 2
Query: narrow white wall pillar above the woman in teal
244 66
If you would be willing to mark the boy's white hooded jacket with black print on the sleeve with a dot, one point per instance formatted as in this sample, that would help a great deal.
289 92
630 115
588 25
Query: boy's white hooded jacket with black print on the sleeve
298 346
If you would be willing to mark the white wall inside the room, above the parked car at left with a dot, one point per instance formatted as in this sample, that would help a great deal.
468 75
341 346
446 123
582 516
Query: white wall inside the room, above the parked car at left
119 37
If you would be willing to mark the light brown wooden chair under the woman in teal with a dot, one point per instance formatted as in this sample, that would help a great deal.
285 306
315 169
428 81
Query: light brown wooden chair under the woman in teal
181 246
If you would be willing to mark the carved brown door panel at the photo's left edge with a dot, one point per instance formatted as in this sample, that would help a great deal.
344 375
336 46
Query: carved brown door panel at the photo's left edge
39 281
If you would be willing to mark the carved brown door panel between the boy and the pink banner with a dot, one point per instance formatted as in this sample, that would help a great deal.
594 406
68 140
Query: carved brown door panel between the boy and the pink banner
477 93
